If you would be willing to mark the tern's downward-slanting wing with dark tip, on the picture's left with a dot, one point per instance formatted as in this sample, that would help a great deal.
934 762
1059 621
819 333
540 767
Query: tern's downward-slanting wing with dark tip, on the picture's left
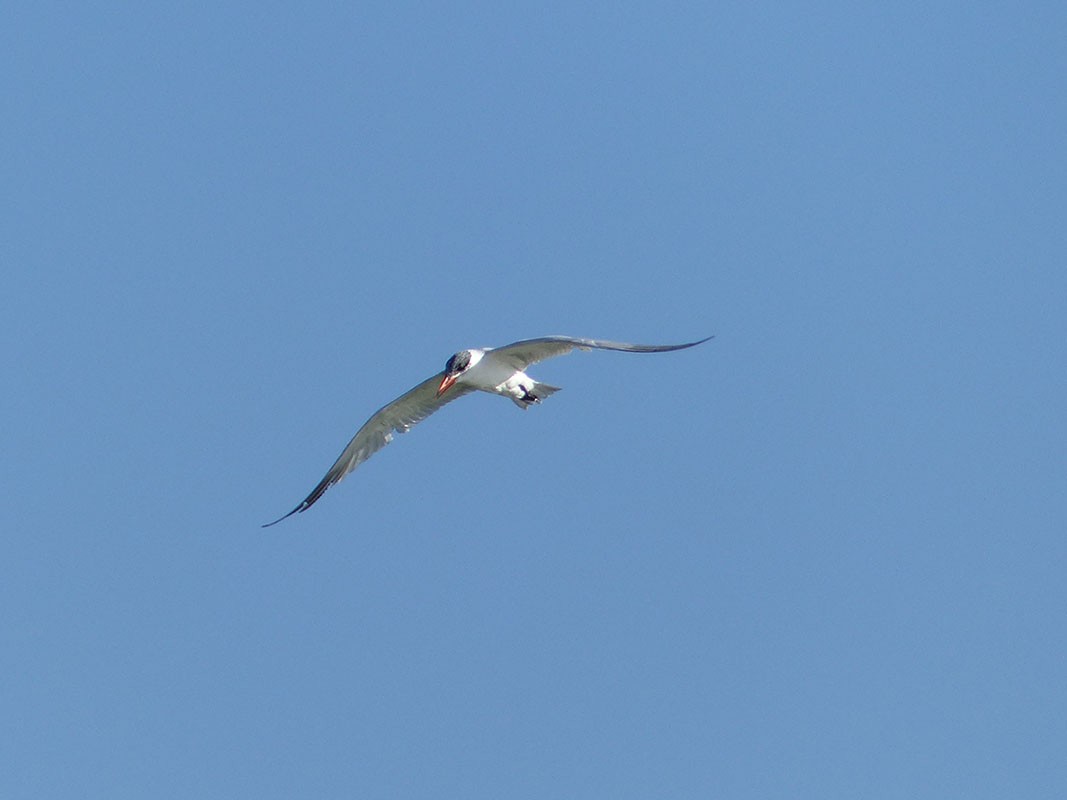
400 417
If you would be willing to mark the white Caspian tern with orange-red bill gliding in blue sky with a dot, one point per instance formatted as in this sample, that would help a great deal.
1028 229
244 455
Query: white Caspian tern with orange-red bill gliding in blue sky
496 371
